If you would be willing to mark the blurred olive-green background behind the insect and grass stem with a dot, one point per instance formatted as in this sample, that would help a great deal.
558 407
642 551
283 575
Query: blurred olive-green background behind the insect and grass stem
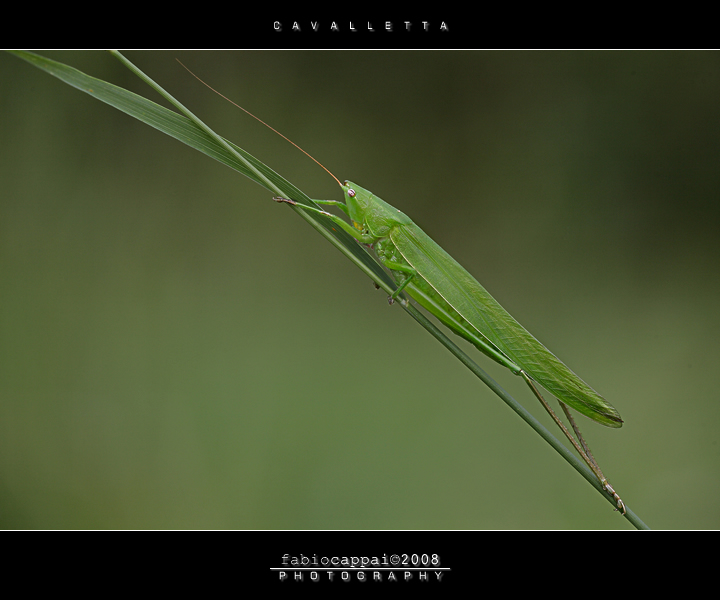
178 351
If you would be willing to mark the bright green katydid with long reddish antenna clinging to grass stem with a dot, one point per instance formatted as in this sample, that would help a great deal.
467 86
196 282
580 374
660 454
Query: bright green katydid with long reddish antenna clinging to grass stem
444 288
